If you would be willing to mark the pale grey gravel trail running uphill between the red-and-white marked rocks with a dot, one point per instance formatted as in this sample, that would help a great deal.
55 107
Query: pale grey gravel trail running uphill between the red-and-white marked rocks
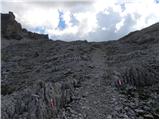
92 104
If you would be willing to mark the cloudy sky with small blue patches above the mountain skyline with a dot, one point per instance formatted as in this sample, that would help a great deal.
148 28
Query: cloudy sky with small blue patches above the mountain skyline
92 20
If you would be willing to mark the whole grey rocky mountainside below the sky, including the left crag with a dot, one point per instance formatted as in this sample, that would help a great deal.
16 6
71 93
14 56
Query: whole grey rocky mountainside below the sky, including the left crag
42 78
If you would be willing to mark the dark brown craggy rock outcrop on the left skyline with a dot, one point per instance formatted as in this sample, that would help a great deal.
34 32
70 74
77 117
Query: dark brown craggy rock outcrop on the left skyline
11 29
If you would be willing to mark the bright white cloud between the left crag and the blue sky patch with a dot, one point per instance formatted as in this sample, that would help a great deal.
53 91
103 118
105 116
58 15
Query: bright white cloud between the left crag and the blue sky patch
37 17
